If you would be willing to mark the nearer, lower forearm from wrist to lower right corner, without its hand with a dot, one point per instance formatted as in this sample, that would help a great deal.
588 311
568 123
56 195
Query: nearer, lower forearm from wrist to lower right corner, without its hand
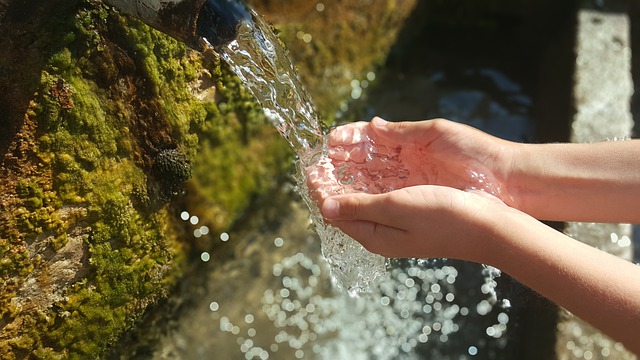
597 287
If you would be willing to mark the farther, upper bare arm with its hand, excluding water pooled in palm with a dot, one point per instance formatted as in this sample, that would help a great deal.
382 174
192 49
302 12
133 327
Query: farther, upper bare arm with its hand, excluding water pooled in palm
598 182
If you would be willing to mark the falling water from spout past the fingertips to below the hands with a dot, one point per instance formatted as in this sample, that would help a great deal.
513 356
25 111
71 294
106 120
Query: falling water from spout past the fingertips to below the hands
257 57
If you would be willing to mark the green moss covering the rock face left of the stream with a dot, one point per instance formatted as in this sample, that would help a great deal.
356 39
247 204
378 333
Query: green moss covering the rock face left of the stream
109 100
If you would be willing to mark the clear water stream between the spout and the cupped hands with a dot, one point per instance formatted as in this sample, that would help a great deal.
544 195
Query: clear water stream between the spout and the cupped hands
258 59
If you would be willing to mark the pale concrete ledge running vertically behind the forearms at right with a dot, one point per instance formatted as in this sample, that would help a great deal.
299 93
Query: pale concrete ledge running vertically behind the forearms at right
602 97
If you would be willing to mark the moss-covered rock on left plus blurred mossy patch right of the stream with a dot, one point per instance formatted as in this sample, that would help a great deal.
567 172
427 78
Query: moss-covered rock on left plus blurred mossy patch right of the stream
110 130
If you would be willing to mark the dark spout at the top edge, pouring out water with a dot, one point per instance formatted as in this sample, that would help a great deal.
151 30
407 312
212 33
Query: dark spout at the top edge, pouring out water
189 20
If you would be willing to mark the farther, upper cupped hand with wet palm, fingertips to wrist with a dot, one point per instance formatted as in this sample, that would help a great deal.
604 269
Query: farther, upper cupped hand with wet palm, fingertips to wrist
431 152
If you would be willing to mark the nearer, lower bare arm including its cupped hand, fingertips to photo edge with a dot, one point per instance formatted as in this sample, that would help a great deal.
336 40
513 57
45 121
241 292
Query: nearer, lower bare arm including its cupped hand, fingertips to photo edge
435 221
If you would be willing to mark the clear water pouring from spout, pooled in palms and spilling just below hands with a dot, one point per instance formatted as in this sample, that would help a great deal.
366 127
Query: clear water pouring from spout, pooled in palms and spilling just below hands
256 57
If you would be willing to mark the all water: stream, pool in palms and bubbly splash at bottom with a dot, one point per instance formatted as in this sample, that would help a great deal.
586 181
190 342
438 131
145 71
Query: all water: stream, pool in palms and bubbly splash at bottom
406 309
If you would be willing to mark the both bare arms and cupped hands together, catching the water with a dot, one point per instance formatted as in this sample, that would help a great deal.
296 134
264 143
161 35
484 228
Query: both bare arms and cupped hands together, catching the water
437 209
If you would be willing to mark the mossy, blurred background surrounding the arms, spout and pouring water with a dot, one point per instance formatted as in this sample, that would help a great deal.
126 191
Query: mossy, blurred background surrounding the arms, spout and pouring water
232 267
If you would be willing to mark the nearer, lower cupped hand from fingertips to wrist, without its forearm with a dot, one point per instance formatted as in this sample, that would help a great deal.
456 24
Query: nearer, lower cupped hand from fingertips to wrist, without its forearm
420 221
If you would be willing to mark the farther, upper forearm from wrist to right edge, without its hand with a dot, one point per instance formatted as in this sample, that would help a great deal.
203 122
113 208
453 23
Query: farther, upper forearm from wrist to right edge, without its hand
597 182
